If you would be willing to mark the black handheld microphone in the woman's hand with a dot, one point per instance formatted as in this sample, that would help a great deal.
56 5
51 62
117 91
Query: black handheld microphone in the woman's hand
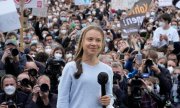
102 80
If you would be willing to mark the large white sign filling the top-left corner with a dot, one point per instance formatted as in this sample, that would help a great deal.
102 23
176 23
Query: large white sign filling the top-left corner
9 18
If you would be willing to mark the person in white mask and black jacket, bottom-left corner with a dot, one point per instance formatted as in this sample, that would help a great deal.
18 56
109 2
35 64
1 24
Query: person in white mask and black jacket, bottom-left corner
11 97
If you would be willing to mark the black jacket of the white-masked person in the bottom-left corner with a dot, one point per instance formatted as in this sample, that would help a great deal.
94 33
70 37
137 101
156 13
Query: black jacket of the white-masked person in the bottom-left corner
19 98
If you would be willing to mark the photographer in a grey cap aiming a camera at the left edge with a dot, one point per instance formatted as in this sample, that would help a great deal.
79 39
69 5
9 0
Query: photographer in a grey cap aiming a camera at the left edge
12 61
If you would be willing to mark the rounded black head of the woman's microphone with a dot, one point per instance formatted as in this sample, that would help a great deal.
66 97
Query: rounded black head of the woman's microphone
102 78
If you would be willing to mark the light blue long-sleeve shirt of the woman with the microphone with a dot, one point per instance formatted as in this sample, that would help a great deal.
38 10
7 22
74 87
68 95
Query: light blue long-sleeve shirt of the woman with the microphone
84 92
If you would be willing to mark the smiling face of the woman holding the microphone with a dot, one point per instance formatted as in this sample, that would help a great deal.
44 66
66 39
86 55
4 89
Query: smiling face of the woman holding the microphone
92 42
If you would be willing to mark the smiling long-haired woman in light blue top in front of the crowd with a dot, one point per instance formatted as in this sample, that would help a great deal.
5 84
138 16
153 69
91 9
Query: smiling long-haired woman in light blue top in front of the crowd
86 61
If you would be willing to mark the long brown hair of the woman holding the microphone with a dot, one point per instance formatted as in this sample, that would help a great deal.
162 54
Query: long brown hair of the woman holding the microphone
79 52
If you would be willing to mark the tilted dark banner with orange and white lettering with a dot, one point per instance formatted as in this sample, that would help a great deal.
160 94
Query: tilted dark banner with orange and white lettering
132 23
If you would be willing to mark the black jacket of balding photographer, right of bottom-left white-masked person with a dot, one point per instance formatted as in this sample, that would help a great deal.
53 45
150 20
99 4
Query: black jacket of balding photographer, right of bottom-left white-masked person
39 103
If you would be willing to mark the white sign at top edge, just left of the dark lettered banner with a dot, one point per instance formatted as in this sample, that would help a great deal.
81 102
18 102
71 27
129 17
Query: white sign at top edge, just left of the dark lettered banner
122 4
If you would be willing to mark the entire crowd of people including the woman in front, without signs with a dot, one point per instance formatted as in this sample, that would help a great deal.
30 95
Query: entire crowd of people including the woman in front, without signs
87 40
